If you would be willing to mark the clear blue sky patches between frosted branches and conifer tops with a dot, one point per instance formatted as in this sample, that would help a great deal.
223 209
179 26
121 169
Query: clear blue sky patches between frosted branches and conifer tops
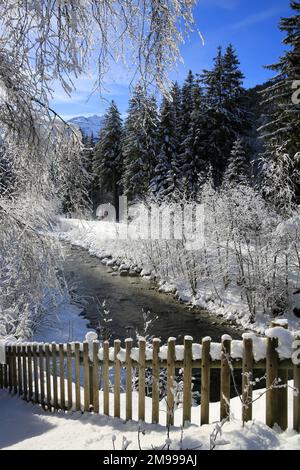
250 25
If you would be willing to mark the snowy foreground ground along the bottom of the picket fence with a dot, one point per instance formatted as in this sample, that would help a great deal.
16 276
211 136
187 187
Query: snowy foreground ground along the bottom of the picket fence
27 426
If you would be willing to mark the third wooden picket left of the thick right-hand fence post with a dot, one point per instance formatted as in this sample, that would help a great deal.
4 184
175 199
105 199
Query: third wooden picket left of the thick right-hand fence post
205 380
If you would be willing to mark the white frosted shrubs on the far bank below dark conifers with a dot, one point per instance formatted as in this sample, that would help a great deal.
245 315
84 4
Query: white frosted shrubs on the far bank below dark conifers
248 263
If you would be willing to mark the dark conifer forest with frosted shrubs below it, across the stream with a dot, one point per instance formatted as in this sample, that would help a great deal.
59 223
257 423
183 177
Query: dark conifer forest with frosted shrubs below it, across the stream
236 151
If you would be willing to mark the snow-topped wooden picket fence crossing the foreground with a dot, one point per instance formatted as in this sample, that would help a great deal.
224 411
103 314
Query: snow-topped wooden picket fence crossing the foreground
50 374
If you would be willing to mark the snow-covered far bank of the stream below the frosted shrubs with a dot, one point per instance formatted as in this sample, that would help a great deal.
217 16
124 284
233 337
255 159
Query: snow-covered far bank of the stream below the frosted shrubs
111 243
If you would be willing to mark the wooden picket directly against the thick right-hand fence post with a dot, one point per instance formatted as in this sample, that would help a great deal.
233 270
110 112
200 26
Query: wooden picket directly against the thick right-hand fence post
272 376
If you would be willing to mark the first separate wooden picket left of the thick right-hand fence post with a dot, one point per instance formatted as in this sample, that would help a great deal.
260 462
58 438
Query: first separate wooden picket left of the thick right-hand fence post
247 379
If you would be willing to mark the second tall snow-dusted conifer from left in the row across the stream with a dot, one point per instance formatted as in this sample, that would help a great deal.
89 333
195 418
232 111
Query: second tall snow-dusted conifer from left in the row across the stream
140 144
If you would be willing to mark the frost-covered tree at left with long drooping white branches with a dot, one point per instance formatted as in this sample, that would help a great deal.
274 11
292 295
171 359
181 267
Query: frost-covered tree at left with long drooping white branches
44 42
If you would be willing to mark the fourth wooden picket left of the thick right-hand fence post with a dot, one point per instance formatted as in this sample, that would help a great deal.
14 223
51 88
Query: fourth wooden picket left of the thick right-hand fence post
187 379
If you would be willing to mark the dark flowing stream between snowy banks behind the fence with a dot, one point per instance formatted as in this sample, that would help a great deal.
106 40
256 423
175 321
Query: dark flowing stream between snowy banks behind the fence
126 298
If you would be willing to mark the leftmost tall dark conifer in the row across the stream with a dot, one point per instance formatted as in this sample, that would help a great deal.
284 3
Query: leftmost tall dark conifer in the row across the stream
108 156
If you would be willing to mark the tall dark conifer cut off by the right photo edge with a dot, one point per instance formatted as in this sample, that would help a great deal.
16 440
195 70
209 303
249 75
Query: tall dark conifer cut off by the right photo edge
281 132
